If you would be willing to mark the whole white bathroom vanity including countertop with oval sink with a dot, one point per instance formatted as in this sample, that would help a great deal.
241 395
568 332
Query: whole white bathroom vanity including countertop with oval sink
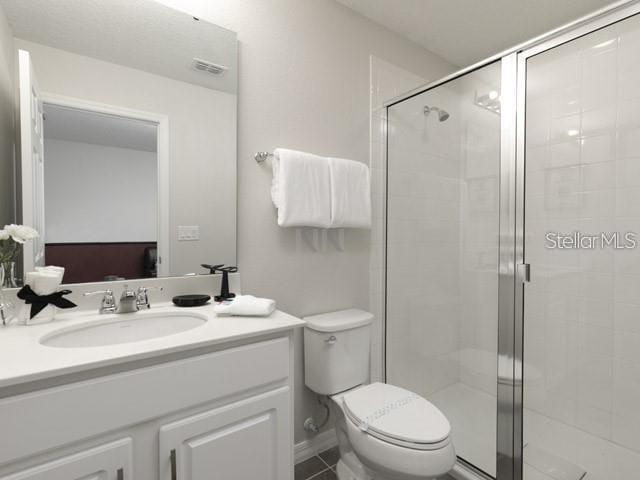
188 405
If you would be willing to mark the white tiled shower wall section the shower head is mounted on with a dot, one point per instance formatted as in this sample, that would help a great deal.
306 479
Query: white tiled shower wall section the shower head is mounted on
424 241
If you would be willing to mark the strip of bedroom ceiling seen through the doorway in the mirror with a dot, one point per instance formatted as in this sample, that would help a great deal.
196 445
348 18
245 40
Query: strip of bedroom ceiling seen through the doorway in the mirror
72 125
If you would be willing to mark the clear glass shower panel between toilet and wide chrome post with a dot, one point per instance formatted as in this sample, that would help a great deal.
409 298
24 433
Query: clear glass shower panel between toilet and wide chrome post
442 254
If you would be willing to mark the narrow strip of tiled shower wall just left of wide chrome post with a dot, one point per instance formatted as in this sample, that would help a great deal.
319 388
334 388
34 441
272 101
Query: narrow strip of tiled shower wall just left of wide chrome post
479 225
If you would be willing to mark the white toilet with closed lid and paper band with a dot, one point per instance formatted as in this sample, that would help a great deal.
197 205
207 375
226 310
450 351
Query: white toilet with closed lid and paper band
384 432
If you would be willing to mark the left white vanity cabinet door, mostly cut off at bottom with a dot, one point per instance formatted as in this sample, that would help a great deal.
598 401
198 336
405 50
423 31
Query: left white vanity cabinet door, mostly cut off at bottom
112 461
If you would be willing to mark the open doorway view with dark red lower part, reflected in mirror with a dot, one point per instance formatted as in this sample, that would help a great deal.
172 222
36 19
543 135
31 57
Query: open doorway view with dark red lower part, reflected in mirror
101 171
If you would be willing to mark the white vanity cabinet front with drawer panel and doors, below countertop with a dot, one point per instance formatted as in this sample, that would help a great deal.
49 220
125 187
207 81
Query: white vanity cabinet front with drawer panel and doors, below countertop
224 414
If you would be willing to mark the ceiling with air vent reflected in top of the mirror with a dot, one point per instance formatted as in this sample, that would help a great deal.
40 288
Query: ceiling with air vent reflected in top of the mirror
141 34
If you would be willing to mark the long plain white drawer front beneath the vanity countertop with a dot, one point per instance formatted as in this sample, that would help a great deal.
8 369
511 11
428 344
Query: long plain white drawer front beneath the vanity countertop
69 413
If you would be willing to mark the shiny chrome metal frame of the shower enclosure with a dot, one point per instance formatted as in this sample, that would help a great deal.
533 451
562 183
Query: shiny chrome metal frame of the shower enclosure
513 273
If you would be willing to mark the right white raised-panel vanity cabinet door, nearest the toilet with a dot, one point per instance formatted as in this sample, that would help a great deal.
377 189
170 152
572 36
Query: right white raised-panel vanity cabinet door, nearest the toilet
243 441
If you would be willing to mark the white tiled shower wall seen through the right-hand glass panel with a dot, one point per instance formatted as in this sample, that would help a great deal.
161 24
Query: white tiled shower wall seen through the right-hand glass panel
582 308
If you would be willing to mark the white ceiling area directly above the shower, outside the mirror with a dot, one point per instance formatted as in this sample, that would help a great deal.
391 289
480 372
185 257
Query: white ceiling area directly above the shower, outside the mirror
467 31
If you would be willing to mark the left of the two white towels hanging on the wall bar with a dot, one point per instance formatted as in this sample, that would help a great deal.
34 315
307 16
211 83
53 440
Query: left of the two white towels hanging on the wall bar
300 189
